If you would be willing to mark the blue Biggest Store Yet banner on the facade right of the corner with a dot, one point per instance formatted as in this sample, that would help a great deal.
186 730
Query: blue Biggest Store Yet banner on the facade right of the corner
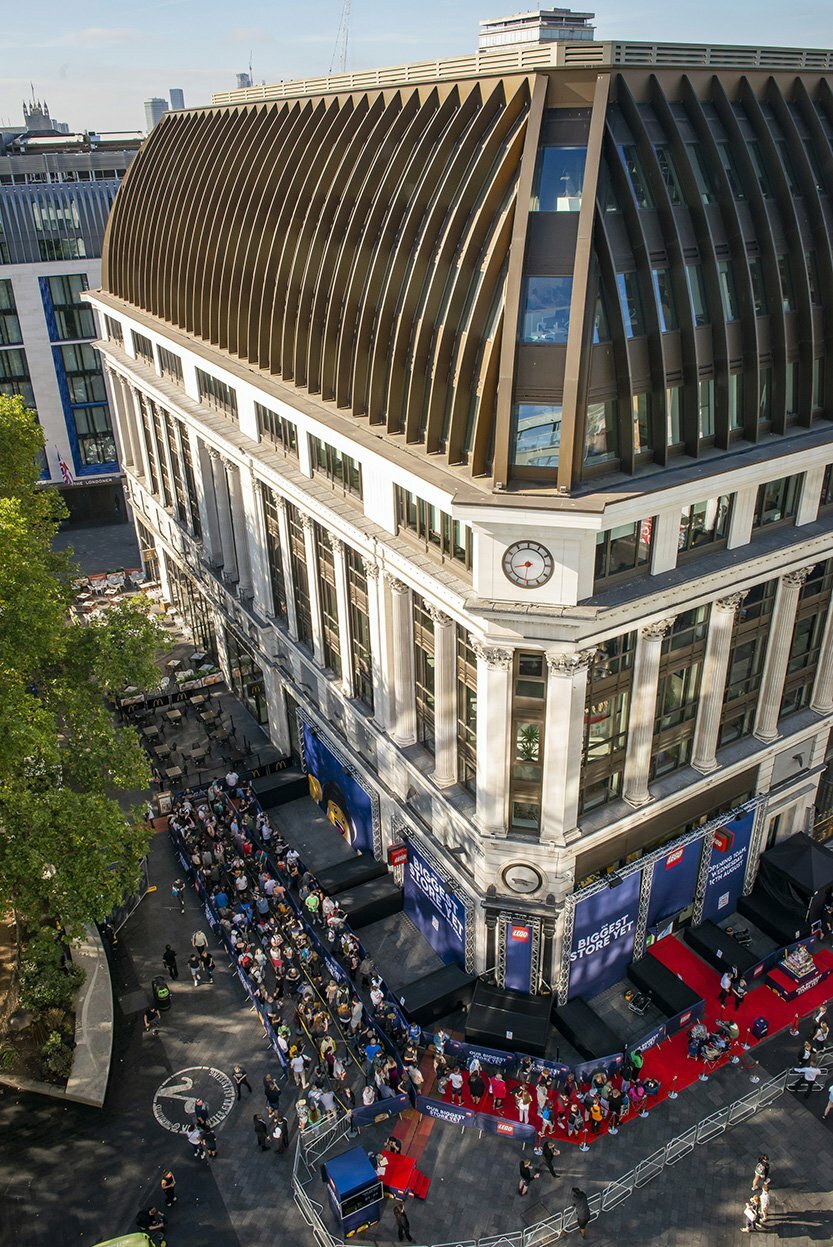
603 937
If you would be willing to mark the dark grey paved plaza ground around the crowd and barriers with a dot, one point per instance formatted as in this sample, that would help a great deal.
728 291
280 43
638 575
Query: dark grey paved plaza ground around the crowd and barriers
72 1175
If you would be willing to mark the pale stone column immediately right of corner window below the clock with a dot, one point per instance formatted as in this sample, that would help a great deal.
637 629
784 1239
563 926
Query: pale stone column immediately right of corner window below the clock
567 694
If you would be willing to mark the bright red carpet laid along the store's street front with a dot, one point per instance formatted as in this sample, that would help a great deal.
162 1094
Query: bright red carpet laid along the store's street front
669 1063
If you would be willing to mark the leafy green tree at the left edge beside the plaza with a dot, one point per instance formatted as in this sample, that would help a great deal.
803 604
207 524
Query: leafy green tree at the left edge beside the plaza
68 850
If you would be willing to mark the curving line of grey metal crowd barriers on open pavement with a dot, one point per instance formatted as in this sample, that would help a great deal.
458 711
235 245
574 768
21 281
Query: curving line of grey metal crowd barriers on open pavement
552 1229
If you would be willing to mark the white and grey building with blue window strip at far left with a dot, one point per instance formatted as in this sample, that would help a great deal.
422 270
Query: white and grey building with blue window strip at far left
55 198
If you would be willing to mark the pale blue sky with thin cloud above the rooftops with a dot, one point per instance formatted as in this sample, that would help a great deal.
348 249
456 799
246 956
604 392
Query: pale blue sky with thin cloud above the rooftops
97 63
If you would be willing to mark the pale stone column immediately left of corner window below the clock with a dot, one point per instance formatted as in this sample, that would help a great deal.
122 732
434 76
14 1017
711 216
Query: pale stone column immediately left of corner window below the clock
494 721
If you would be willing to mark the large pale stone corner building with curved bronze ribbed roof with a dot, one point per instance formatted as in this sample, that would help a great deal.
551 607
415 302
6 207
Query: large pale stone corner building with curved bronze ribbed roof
479 413
